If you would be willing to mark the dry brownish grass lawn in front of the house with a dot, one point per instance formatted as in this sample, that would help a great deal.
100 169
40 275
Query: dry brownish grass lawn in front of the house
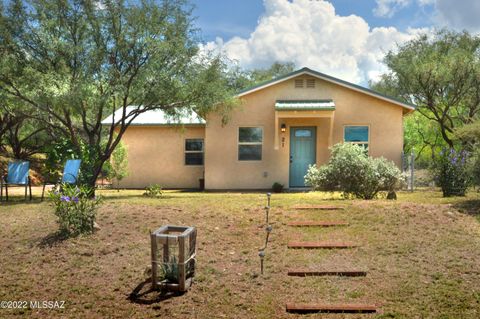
422 254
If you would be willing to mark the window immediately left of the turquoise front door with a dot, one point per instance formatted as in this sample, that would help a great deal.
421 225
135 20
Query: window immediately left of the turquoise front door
250 143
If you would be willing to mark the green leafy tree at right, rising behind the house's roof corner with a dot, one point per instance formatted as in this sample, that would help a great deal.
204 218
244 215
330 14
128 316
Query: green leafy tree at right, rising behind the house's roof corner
441 75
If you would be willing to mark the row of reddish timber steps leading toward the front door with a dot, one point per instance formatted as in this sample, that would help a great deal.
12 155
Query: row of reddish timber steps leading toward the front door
324 308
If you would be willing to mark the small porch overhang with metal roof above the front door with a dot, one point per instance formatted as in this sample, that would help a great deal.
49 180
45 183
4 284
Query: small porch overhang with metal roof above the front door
303 109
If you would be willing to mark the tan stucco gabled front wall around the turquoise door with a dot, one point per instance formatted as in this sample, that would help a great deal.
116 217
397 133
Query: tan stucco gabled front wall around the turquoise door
224 171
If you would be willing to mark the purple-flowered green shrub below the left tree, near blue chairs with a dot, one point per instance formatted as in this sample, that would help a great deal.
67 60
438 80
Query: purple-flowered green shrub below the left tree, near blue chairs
75 208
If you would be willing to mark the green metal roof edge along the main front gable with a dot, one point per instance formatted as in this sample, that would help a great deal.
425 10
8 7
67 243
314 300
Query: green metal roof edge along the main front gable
329 78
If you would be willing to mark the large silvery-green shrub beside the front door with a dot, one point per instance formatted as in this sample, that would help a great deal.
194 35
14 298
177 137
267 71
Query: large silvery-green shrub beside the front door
354 173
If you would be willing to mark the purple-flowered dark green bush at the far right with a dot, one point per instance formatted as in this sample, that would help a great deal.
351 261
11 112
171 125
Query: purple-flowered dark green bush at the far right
451 172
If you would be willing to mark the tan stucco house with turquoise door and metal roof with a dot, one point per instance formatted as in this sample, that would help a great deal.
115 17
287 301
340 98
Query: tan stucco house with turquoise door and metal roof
281 127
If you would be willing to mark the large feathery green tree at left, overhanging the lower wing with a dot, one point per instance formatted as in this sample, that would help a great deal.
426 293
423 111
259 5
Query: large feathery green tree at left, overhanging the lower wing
74 62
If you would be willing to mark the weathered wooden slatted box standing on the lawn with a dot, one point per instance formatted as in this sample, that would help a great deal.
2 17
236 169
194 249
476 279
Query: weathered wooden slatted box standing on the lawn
173 257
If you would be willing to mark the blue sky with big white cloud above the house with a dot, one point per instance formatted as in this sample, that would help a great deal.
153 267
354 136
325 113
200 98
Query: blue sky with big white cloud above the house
343 38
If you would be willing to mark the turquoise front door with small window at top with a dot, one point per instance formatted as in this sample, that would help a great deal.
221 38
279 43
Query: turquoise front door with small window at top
302 153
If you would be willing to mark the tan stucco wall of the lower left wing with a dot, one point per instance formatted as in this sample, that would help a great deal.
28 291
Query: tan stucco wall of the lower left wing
156 155
